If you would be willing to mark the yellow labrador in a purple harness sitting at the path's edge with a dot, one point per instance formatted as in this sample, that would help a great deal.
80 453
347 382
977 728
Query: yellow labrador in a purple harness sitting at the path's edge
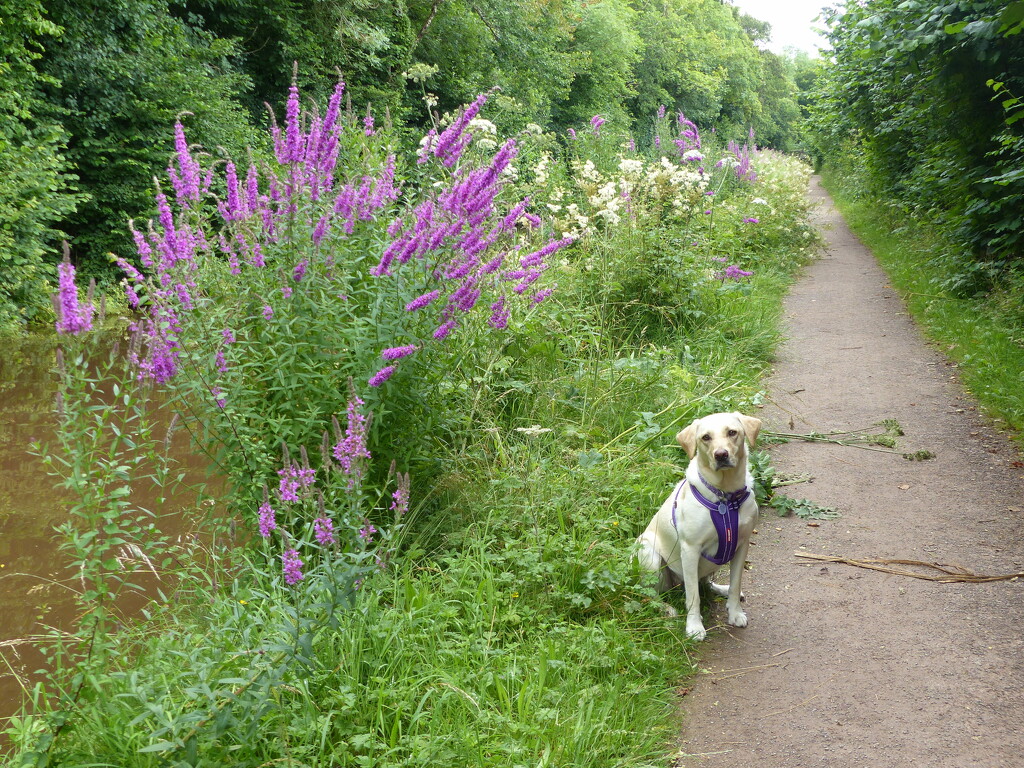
708 519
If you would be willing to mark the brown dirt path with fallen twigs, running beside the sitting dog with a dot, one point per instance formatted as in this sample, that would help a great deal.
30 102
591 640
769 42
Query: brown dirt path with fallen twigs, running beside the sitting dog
844 667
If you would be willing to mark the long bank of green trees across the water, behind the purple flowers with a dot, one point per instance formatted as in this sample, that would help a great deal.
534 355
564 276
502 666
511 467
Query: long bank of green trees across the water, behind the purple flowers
99 84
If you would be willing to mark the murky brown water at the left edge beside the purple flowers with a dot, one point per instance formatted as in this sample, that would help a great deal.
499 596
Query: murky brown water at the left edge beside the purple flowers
36 590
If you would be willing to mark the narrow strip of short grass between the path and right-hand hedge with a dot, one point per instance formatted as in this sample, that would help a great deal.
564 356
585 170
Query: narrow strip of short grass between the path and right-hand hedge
985 339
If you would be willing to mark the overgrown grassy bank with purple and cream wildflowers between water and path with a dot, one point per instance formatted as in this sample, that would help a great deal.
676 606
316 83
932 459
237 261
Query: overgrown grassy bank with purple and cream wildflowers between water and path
441 378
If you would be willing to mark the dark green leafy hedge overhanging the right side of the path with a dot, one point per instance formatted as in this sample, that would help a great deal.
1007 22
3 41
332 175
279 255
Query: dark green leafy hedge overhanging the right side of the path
922 107
